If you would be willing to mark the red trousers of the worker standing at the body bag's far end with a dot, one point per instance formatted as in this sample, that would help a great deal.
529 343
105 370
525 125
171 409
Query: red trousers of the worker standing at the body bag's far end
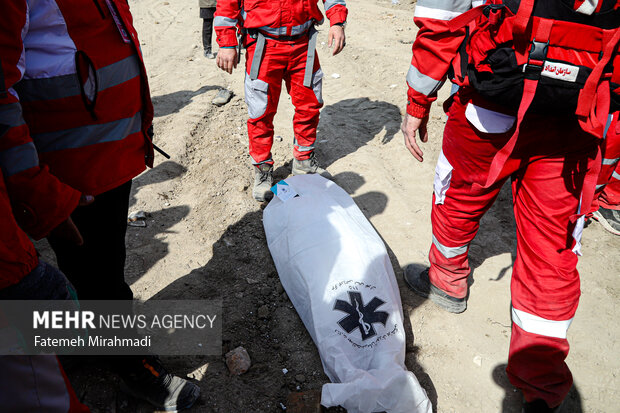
282 60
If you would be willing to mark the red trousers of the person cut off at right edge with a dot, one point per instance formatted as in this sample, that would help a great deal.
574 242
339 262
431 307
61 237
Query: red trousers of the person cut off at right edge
608 185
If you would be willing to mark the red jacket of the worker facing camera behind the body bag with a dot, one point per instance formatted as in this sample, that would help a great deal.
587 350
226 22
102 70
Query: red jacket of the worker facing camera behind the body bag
274 17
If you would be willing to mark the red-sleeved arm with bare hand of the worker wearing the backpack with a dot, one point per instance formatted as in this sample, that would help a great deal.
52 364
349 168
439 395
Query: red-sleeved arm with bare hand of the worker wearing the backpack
433 51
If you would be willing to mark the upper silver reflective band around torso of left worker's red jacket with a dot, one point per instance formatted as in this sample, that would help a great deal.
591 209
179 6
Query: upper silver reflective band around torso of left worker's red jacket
59 87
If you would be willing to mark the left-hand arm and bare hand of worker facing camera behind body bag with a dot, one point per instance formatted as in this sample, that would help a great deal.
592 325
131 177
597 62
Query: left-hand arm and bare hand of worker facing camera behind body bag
227 16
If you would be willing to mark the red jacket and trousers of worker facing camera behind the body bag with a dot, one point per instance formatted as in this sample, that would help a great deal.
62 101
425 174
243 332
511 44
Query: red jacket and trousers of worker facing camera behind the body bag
288 29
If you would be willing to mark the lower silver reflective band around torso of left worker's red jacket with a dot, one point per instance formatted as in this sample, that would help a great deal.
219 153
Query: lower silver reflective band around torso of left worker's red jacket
88 135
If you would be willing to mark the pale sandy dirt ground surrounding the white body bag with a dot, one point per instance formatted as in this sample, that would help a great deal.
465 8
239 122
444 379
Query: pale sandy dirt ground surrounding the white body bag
205 238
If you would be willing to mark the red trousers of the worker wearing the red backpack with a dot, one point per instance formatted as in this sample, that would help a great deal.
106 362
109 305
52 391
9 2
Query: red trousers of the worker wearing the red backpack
547 168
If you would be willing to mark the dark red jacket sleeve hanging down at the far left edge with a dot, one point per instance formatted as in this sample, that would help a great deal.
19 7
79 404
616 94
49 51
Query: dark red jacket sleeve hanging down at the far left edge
40 201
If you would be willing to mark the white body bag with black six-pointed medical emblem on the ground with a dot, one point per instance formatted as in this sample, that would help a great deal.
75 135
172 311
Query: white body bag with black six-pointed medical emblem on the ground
336 271
